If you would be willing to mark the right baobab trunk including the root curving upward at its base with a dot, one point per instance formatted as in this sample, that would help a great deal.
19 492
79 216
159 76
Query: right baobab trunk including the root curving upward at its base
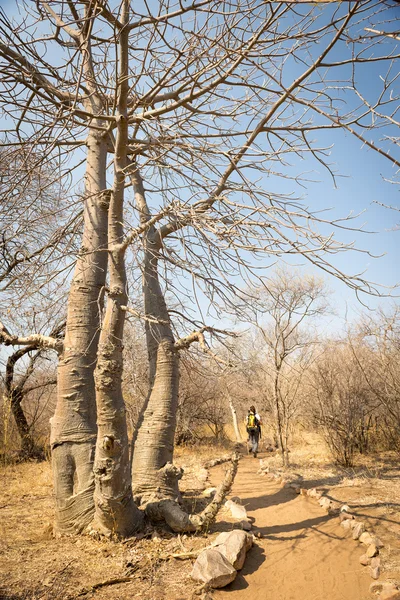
155 478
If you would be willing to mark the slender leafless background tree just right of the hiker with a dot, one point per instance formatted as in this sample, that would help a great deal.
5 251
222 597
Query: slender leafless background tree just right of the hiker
290 304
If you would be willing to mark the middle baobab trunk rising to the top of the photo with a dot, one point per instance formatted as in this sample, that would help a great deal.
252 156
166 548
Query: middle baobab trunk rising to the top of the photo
115 511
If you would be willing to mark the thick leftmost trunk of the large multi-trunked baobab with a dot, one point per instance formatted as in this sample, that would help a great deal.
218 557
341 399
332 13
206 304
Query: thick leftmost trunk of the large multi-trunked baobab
73 427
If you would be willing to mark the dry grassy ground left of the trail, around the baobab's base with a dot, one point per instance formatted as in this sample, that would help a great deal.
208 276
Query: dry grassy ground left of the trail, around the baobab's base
34 565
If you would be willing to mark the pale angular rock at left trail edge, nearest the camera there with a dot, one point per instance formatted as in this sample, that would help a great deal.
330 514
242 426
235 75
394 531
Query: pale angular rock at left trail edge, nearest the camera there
212 568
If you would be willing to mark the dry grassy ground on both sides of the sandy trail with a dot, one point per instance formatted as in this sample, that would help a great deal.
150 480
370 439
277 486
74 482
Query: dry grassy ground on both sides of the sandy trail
35 566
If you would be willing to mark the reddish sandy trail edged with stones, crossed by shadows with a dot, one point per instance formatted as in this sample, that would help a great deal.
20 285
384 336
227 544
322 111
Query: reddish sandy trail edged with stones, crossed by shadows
303 554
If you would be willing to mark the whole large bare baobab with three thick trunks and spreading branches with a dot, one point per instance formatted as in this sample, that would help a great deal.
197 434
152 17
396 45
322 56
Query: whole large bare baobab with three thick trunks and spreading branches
200 106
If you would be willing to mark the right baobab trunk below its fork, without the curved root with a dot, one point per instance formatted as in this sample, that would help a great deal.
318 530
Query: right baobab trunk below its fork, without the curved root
154 476
